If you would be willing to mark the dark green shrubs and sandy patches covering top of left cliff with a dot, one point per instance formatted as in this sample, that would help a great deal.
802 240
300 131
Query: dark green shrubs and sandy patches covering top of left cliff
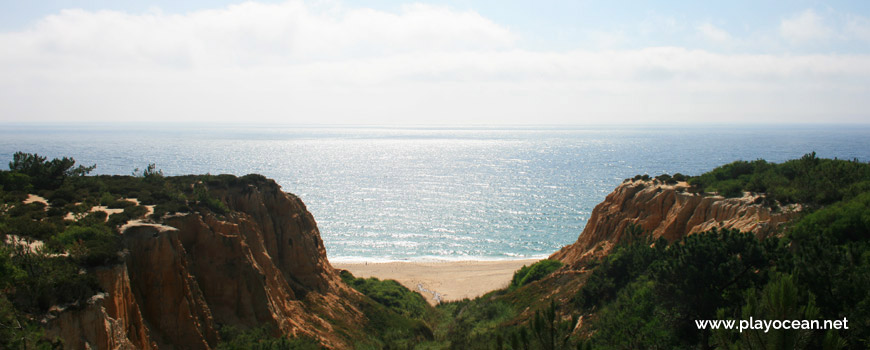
55 232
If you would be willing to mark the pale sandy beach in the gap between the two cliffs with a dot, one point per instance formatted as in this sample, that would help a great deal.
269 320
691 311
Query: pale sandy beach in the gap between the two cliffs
448 281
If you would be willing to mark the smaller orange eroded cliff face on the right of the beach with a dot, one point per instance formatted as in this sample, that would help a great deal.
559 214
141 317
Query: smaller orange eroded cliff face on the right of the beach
668 211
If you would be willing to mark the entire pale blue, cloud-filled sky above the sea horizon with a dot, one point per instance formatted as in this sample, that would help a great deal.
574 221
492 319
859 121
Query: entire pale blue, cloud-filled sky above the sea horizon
439 62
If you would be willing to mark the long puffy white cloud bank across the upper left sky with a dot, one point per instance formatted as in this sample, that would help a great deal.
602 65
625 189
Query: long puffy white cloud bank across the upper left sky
254 33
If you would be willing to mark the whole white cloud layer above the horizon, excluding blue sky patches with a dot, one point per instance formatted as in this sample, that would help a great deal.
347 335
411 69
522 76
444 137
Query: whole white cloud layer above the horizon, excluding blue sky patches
290 63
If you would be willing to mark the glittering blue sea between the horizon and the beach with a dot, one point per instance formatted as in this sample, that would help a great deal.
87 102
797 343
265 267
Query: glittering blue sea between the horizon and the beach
417 193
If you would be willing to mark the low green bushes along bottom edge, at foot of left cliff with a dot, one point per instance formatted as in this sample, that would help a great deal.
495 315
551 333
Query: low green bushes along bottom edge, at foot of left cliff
233 338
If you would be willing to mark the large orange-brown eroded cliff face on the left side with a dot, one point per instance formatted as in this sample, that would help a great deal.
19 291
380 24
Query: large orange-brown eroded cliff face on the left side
263 263
